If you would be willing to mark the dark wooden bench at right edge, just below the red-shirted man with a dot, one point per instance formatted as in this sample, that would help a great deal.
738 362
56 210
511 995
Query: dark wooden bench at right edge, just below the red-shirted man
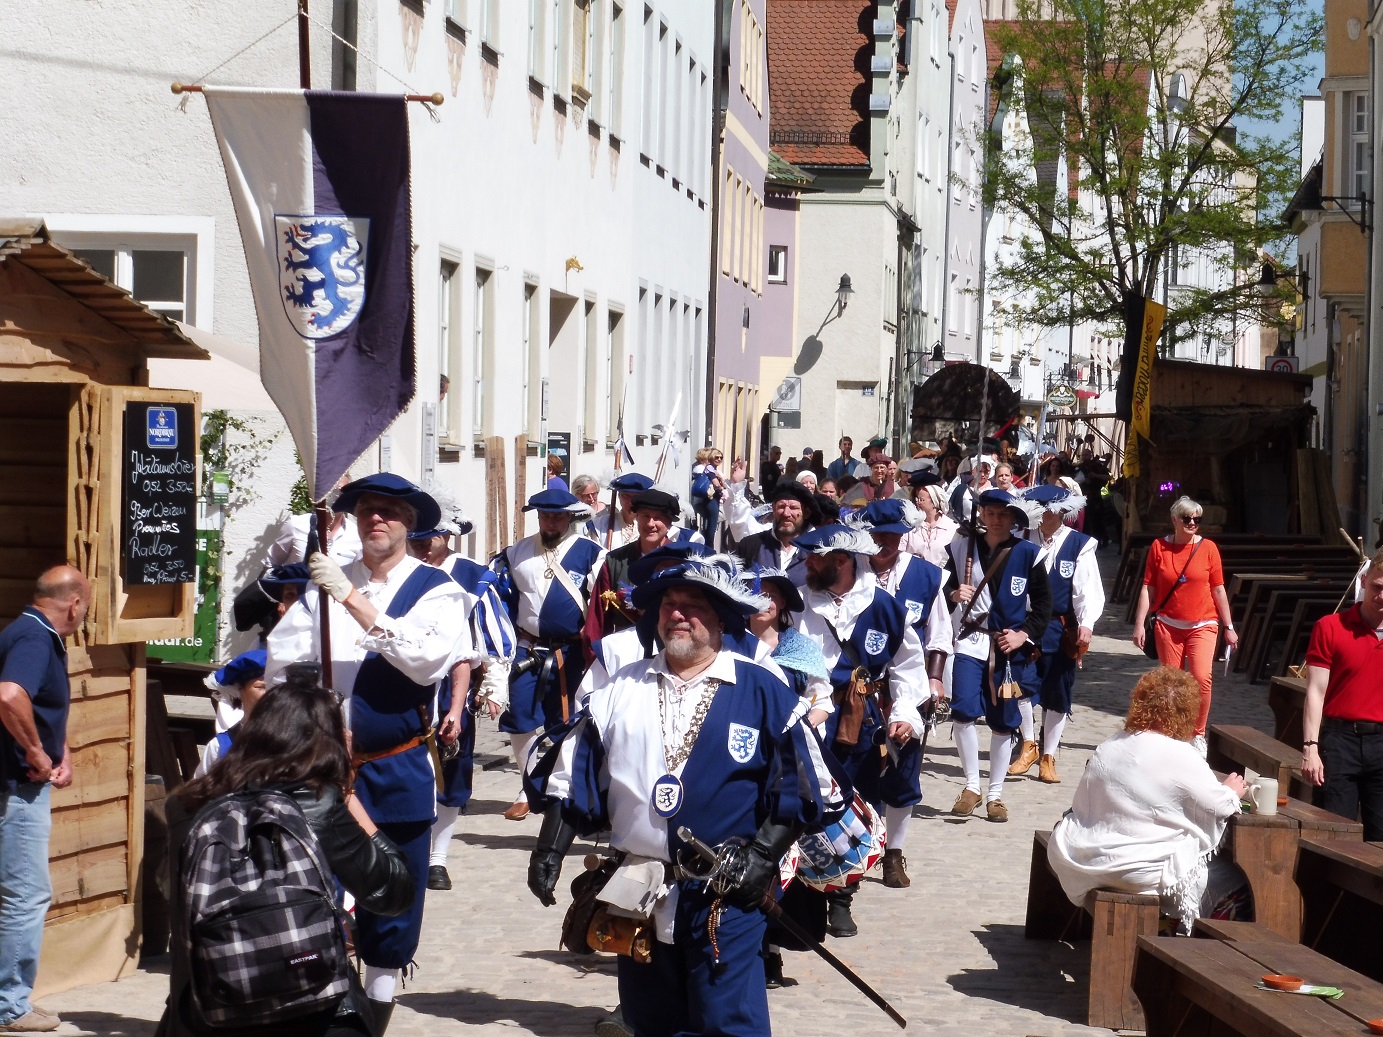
1342 901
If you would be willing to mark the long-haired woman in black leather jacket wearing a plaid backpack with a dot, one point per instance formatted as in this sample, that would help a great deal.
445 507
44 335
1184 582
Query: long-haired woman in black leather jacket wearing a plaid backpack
295 743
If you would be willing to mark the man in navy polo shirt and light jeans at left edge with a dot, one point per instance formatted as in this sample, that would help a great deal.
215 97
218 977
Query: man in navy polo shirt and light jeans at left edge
34 757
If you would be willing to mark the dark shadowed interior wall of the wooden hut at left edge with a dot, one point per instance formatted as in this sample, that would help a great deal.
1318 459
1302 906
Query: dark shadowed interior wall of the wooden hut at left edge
34 480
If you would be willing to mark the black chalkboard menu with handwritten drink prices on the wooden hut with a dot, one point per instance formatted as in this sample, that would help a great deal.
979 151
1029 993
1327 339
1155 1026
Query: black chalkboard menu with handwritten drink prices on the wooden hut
160 494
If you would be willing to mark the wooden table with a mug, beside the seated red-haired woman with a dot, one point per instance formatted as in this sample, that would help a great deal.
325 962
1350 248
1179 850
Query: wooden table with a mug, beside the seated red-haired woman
1266 848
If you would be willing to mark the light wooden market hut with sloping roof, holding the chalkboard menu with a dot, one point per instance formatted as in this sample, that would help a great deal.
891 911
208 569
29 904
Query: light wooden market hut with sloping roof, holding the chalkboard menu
74 353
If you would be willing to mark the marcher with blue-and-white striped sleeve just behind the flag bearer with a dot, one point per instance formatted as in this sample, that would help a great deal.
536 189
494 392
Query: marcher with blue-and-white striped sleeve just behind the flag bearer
488 688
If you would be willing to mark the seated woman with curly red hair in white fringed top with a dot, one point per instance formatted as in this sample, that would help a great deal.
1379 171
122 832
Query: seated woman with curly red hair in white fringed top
1150 814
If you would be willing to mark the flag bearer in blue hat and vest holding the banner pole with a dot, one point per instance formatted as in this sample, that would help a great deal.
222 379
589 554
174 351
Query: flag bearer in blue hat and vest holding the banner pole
399 627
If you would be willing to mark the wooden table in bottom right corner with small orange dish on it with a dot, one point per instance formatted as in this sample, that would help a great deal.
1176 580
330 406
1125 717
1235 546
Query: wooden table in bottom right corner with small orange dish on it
1209 988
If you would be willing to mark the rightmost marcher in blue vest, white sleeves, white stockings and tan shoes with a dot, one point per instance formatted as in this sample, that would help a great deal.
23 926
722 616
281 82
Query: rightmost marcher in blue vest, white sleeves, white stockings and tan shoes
1078 601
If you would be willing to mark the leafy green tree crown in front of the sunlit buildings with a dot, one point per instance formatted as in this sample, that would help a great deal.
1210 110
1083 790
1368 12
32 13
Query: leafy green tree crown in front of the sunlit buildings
1142 99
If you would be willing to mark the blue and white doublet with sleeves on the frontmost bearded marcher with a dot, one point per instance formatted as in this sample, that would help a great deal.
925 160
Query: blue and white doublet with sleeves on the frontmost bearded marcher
753 758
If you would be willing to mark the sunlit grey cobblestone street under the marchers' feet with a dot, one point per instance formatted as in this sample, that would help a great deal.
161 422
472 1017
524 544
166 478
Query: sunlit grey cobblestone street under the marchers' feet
948 952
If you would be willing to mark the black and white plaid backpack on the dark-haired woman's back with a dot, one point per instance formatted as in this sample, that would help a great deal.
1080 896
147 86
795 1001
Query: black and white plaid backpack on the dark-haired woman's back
261 928
